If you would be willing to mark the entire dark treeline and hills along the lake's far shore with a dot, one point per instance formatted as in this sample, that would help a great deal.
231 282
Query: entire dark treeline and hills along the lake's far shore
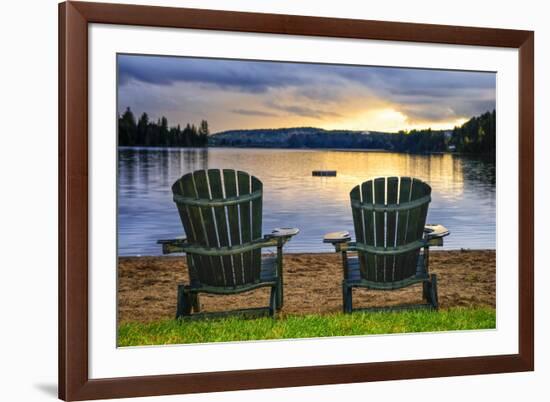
476 136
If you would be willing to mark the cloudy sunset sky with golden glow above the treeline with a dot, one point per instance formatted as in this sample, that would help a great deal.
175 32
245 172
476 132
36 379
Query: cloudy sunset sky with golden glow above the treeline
235 94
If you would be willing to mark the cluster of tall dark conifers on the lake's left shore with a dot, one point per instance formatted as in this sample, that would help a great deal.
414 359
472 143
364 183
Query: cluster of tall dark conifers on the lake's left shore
158 134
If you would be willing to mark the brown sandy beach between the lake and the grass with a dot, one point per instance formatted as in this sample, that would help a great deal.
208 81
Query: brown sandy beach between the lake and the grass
312 284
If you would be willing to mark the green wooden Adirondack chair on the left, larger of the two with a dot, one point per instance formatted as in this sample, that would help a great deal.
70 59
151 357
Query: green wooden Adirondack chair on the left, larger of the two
221 213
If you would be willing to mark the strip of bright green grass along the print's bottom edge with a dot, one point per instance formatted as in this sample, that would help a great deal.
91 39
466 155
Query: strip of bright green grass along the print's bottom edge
310 326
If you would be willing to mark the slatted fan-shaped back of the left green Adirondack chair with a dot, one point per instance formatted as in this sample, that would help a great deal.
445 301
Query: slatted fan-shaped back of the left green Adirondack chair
221 209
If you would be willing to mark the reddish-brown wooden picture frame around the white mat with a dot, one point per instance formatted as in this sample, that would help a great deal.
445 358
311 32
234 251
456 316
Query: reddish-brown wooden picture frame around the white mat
74 382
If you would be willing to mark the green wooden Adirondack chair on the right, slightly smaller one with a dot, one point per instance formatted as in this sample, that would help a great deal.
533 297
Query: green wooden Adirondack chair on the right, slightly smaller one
389 216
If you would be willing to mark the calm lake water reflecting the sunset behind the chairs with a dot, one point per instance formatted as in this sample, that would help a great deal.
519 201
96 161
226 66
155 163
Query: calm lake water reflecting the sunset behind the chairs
463 192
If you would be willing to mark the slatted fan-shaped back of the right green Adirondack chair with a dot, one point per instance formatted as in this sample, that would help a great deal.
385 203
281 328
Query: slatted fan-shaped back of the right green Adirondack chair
390 213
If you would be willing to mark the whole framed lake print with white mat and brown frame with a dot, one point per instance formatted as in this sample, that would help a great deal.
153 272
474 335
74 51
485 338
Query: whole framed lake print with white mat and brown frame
260 200
